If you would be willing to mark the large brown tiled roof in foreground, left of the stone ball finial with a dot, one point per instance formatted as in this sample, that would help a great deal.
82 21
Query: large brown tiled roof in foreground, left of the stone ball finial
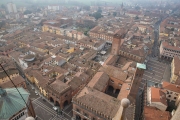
99 101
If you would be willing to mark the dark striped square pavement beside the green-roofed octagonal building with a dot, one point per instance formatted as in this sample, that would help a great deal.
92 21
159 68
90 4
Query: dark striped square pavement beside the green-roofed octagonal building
44 111
